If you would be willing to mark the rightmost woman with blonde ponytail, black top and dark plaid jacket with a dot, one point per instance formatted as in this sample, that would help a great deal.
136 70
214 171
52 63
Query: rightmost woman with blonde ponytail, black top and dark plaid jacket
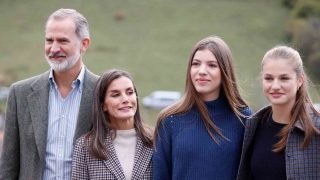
282 140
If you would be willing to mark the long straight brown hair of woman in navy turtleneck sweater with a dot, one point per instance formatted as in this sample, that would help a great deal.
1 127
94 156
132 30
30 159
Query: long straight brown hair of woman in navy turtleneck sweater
191 97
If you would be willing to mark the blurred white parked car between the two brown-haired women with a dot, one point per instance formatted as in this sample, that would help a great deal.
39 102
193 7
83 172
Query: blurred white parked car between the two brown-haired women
160 99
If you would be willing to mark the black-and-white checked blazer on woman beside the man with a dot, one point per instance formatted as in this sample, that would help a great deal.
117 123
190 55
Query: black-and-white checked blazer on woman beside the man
85 166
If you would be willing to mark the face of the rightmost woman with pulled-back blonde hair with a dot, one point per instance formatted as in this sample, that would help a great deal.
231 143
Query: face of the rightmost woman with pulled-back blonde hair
280 82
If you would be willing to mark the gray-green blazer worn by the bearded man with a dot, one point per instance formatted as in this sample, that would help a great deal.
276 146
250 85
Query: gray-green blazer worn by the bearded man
26 125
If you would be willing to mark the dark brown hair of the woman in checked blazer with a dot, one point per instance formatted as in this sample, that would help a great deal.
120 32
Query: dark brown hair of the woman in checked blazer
101 121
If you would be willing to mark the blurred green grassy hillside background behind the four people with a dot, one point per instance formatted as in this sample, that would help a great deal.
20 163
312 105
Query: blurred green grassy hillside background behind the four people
153 39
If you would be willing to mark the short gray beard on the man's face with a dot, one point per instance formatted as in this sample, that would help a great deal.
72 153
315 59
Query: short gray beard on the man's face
66 64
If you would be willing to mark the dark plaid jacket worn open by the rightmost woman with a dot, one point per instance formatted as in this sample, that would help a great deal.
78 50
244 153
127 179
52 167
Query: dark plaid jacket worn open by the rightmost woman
301 164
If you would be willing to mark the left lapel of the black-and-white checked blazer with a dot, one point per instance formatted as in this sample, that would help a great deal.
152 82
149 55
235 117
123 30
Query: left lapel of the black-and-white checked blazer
112 162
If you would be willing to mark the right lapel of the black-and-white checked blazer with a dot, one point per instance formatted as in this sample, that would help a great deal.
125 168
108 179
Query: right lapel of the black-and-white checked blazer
142 159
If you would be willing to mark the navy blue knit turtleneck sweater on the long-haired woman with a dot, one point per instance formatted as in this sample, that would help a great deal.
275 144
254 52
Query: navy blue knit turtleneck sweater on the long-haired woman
184 149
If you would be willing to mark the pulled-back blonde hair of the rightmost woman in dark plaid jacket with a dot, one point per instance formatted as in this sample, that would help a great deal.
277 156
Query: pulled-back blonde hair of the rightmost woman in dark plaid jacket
303 104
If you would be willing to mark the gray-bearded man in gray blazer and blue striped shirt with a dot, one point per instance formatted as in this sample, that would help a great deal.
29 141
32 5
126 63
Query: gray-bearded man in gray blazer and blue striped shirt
47 113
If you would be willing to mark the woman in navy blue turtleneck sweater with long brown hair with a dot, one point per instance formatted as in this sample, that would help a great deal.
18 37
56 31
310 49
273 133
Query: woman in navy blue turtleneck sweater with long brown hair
200 136
